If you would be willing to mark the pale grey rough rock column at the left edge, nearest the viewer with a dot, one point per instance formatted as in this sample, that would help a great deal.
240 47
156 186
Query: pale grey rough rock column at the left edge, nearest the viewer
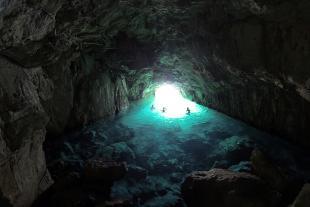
22 133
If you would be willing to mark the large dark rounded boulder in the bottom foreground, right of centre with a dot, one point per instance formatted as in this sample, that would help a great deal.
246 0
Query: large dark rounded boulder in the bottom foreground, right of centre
223 188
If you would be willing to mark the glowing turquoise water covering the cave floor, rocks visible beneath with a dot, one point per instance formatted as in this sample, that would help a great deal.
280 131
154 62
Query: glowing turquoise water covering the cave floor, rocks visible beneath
160 151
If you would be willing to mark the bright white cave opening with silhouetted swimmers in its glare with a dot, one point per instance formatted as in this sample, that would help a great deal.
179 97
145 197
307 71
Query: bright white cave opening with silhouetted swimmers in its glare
171 104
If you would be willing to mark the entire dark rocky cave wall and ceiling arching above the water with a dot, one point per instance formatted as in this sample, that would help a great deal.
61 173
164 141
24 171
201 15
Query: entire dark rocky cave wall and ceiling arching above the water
67 62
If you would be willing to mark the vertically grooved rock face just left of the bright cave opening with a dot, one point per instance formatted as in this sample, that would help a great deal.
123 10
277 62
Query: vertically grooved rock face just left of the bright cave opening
99 96
